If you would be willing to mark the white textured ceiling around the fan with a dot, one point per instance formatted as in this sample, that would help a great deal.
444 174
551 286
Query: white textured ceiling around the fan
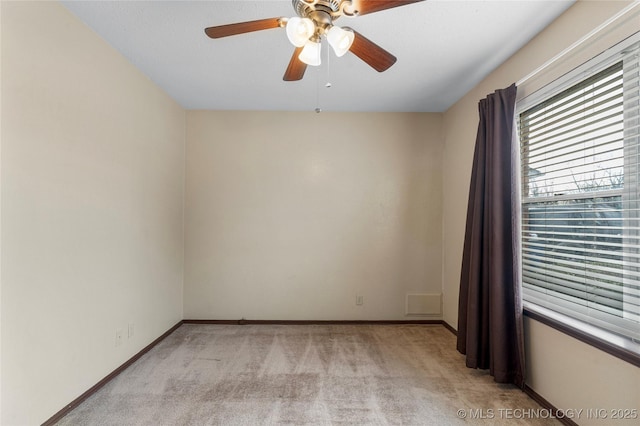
444 48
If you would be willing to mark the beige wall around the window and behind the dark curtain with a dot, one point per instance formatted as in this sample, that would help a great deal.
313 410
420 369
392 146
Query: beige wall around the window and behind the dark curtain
584 382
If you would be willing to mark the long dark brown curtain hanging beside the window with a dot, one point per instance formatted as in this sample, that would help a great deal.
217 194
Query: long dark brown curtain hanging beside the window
490 308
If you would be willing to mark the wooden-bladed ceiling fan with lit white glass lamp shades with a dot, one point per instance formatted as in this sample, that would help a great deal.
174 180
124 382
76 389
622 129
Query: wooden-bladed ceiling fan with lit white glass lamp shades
314 20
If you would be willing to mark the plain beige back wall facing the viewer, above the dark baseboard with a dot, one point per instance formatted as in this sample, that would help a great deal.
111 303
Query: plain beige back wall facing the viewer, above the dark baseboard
291 215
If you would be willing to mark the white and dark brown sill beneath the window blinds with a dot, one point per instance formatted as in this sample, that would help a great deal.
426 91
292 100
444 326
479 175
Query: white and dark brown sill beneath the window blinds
613 344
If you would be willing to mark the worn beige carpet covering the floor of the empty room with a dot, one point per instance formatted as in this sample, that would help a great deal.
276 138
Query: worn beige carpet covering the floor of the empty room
304 374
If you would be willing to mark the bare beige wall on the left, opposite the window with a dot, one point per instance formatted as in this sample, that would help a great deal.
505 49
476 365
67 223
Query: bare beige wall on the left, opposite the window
92 194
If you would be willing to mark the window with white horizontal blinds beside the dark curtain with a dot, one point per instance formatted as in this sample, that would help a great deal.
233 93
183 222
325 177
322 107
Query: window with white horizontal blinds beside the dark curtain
580 175
